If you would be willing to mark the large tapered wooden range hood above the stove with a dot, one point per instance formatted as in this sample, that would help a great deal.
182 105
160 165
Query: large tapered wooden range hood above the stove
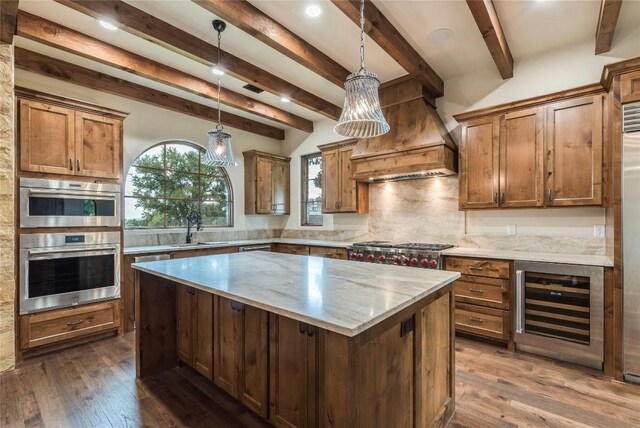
418 144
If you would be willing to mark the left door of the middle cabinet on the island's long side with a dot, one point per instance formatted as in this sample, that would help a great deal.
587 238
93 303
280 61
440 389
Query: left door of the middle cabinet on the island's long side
227 348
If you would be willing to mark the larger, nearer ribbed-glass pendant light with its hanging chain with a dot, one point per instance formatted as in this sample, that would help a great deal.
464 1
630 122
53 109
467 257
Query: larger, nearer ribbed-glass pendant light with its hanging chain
361 115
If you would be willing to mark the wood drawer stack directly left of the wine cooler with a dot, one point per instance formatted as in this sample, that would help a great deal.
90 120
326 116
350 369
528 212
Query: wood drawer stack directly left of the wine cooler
483 297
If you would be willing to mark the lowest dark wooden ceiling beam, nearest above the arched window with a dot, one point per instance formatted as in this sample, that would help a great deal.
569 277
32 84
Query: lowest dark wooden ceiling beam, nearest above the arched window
61 70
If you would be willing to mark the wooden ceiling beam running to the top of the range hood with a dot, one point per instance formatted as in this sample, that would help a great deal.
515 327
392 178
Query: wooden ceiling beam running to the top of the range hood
382 31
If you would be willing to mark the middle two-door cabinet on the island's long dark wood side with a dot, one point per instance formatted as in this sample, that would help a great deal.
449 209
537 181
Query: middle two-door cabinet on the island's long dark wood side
240 352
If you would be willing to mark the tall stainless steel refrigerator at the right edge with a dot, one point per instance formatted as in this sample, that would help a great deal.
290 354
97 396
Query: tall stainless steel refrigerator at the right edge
631 240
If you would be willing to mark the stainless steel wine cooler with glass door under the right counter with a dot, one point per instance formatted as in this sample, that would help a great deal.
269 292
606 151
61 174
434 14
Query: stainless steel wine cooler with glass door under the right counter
560 311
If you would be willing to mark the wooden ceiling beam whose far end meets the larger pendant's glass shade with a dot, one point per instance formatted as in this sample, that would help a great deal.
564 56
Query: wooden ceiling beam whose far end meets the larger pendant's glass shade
242 14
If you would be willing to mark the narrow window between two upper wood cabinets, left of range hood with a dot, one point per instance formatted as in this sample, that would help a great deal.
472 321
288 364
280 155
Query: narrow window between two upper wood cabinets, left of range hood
312 190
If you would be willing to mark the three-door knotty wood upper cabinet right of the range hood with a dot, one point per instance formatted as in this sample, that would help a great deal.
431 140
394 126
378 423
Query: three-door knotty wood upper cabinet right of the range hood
547 155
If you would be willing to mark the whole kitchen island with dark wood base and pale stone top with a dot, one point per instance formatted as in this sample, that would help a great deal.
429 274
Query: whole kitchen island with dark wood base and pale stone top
304 341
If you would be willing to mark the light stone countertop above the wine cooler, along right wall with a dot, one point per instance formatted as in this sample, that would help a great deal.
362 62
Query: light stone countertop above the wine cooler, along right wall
576 259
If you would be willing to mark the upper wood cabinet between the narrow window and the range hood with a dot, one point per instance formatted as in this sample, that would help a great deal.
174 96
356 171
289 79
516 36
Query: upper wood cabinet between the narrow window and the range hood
341 194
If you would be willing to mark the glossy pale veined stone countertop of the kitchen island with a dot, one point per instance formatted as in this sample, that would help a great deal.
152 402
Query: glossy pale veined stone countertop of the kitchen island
336 295
